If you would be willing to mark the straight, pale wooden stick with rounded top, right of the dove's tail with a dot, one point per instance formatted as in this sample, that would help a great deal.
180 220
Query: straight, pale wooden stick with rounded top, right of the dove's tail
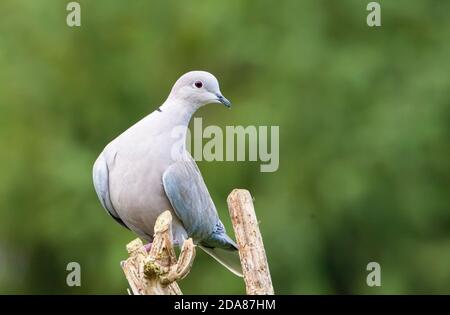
251 248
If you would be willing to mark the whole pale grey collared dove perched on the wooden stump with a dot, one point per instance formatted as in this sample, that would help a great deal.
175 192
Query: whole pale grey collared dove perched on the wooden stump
145 171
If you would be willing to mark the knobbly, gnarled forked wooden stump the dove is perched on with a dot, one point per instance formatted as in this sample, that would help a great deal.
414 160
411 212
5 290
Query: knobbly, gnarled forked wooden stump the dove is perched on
156 272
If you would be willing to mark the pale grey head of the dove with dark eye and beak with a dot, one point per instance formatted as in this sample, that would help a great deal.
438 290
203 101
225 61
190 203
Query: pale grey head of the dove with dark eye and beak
198 88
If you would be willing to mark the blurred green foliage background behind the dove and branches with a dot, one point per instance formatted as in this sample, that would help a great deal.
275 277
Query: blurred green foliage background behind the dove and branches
364 136
